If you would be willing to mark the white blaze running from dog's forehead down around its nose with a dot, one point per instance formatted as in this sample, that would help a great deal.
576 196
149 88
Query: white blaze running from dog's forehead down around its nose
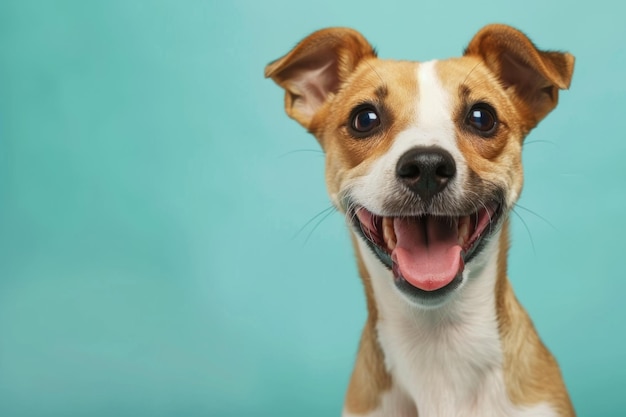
433 126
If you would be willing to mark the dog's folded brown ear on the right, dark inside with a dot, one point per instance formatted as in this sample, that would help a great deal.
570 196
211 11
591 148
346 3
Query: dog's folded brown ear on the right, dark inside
535 75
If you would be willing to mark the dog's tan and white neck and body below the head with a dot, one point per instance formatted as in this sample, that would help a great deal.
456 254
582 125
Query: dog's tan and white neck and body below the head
460 359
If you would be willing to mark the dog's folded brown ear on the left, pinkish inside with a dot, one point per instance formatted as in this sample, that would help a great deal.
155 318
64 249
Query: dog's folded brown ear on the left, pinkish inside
316 67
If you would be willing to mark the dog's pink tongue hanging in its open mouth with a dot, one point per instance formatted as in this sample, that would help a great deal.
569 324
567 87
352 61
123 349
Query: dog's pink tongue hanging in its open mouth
427 253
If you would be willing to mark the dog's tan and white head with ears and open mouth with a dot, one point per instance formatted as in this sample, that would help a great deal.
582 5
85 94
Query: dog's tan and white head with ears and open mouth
423 158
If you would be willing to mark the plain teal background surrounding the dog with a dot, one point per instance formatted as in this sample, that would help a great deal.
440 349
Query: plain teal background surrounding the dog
156 254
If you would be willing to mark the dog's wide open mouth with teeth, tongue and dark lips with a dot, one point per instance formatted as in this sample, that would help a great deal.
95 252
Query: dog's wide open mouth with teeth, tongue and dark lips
428 252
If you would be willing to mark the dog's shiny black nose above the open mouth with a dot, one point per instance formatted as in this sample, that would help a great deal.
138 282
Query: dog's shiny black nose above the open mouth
426 170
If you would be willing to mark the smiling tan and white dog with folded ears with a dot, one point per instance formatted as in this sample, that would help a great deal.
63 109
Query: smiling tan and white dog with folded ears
424 160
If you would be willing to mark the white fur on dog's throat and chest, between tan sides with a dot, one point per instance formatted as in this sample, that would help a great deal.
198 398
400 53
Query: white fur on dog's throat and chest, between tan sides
446 362
